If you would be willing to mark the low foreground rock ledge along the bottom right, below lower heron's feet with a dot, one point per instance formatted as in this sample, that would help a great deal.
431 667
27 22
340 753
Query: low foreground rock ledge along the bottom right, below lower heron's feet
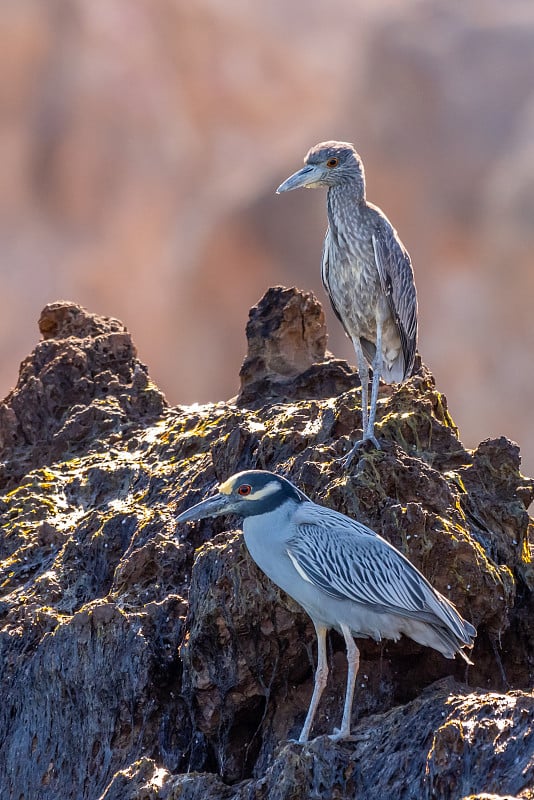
415 751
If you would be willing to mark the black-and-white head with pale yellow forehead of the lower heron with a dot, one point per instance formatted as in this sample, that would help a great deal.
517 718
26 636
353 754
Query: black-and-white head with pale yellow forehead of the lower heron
246 494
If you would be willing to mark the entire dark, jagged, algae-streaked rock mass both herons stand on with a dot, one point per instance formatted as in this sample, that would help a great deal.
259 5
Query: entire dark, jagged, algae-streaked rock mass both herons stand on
144 661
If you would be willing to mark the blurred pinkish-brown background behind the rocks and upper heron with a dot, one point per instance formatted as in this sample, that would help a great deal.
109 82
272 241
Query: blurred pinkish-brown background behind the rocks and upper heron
142 141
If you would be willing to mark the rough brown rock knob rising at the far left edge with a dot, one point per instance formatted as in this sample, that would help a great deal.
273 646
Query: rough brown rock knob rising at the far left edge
81 385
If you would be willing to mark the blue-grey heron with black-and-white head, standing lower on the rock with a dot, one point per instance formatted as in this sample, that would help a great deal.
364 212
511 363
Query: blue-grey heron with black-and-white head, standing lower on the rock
342 573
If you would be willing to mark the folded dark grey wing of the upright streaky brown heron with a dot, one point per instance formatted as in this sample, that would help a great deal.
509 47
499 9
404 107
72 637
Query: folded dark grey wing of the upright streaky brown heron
397 280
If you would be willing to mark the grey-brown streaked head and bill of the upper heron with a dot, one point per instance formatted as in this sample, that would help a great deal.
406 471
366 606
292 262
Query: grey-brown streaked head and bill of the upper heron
328 164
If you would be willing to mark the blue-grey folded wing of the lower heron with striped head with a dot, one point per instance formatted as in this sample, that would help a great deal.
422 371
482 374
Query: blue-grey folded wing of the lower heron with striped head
347 560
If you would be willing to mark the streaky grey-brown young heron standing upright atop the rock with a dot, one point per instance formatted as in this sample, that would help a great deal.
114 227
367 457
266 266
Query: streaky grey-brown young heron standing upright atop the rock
366 271
